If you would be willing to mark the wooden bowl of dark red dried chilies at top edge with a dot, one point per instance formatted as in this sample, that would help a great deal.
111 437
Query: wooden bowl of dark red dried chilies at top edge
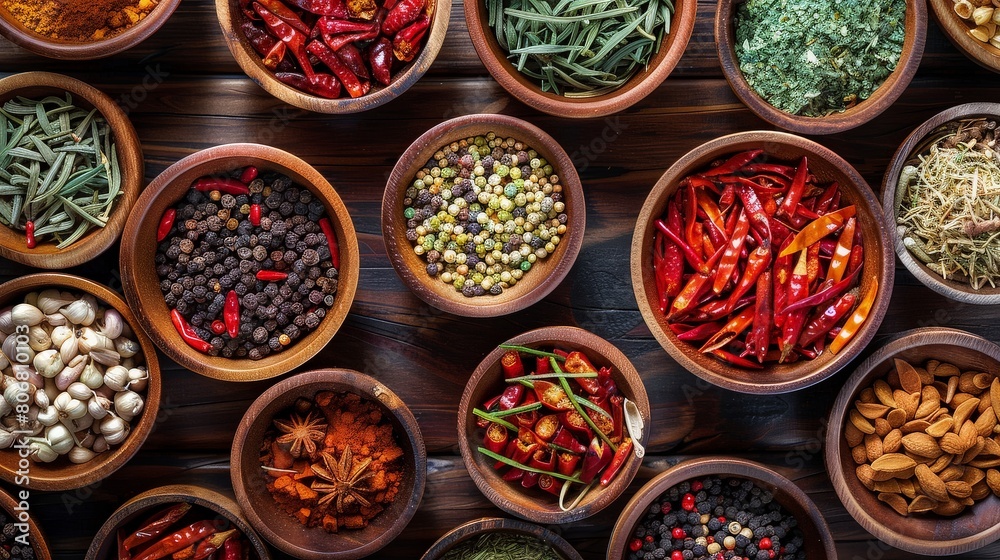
334 56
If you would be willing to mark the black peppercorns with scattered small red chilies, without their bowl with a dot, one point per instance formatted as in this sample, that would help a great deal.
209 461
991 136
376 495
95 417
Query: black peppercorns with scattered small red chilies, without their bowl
248 264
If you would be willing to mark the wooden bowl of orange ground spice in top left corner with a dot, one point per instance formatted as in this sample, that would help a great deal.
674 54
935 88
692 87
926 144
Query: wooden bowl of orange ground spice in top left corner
82 30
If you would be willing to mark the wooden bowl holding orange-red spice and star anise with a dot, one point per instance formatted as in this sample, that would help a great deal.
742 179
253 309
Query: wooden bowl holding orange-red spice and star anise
328 464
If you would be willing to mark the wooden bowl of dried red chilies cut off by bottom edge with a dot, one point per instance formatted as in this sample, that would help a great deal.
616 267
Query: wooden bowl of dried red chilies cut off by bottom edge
181 522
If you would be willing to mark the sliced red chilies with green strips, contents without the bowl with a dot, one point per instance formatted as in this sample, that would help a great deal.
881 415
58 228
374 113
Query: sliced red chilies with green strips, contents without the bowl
533 427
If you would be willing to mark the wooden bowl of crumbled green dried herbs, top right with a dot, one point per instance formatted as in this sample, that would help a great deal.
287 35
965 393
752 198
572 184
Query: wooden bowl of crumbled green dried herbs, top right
819 66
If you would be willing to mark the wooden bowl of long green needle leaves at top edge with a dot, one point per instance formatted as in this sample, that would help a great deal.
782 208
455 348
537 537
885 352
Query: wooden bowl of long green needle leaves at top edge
601 58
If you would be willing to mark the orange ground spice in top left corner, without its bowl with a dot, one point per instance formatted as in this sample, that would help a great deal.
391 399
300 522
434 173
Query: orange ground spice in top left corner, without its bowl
79 20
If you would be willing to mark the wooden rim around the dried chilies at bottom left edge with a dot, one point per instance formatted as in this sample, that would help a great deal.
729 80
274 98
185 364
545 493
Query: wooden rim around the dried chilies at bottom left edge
141 507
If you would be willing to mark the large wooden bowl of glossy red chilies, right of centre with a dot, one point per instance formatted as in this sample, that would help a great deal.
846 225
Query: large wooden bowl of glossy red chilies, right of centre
761 262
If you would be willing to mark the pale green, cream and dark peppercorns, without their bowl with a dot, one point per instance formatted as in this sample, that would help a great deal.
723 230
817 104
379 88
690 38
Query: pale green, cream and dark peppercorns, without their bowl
483 211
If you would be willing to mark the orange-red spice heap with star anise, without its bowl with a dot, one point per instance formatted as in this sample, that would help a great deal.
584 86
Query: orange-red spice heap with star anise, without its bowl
349 422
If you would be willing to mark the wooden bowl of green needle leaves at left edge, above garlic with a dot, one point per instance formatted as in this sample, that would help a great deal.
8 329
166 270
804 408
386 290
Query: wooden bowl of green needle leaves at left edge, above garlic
70 170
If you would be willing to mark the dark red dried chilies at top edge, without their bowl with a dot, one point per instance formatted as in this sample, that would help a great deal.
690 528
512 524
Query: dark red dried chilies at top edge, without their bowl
357 40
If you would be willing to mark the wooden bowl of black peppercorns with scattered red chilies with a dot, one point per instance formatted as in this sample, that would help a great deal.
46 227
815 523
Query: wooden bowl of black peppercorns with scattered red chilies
243 261
